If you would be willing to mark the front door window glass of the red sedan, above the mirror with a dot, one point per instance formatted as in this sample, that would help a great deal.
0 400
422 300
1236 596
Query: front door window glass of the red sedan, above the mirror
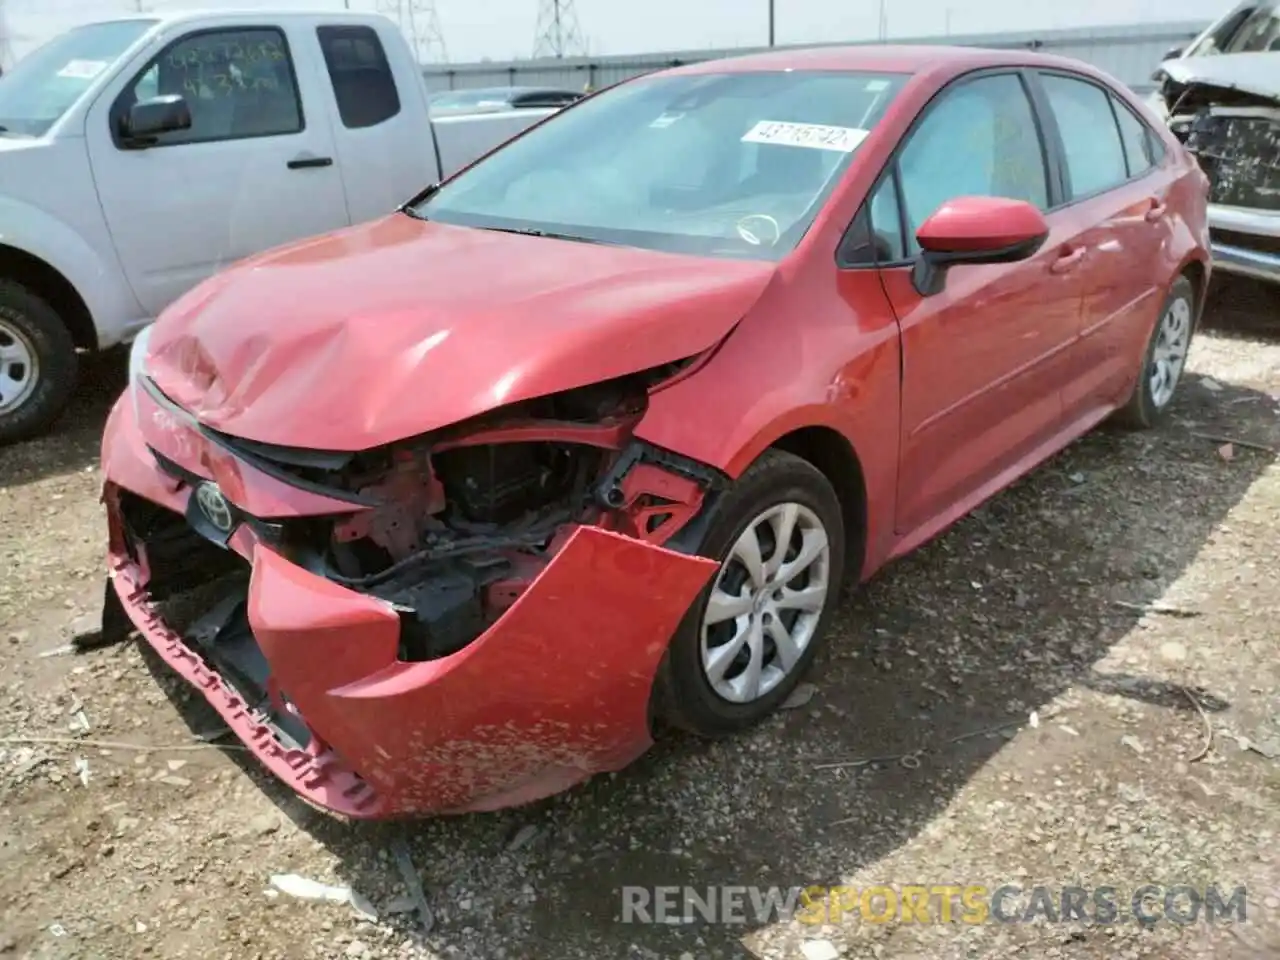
980 139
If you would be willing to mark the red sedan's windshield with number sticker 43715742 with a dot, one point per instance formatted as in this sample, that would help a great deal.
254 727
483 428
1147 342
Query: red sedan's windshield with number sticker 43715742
734 164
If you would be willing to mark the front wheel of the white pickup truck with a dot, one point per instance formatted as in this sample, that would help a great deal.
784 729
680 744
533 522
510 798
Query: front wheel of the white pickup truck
38 364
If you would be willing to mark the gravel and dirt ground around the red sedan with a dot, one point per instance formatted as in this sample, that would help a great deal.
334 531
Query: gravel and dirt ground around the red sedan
1108 614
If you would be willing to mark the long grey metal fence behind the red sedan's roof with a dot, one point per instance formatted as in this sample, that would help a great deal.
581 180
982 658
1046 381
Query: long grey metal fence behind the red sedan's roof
1127 53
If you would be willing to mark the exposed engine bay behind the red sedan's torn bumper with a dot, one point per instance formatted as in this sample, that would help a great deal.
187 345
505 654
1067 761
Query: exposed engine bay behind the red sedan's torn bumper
452 528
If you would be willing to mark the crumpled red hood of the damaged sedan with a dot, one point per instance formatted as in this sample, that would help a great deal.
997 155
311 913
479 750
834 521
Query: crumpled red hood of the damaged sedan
392 330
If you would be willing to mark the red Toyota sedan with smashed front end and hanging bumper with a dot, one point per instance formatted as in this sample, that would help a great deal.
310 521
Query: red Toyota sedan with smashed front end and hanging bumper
589 436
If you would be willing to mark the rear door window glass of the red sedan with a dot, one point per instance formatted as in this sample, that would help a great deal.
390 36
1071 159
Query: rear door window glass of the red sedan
1091 140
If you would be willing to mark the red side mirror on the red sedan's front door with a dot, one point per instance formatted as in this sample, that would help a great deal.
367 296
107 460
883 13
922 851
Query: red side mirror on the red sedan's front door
976 231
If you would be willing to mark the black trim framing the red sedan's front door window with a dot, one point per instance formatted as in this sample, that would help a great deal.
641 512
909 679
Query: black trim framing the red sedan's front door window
1050 154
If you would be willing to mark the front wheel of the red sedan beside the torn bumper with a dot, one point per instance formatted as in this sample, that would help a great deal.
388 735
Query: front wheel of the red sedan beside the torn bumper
756 629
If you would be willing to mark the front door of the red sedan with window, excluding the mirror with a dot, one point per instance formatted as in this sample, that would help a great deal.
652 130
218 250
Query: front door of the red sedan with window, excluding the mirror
984 362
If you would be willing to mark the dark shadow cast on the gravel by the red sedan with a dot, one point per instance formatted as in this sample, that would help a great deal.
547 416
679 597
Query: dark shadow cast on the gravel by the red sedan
994 620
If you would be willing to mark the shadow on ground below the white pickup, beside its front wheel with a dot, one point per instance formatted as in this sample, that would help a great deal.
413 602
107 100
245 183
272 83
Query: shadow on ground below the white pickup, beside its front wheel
76 440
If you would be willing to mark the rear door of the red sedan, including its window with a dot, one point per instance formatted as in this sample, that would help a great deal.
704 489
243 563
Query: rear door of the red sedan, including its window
1117 195
